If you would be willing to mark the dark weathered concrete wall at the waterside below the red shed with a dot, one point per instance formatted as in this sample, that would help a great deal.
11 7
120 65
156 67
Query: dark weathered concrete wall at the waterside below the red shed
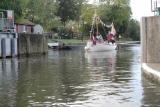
29 44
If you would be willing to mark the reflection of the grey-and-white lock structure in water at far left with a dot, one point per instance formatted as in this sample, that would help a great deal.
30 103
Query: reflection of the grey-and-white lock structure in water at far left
8 78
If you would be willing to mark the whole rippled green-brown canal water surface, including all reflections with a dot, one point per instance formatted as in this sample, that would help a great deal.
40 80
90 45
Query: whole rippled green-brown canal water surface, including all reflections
77 79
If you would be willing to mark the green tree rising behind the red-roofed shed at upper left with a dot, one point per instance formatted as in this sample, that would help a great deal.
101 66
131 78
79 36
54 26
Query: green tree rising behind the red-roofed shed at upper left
42 12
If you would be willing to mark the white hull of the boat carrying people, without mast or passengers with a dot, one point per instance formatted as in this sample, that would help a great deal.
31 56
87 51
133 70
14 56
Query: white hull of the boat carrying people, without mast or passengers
100 46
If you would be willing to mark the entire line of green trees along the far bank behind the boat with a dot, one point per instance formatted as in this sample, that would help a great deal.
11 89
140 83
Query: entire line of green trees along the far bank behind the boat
76 15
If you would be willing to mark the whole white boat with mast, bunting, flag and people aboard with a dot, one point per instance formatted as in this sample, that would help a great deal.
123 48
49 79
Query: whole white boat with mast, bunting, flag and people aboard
96 42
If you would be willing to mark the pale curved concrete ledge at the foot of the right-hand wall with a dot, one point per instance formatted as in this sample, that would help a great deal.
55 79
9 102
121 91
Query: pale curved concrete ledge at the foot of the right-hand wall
150 73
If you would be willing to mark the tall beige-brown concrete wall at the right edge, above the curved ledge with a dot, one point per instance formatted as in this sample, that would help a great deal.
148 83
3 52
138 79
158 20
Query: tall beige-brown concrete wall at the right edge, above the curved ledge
150 39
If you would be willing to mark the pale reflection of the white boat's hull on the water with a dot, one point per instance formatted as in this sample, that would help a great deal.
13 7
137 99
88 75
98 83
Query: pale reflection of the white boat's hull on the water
101 60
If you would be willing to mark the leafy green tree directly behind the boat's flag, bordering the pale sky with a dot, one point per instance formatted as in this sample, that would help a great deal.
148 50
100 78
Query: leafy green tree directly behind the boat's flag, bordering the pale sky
116 11
